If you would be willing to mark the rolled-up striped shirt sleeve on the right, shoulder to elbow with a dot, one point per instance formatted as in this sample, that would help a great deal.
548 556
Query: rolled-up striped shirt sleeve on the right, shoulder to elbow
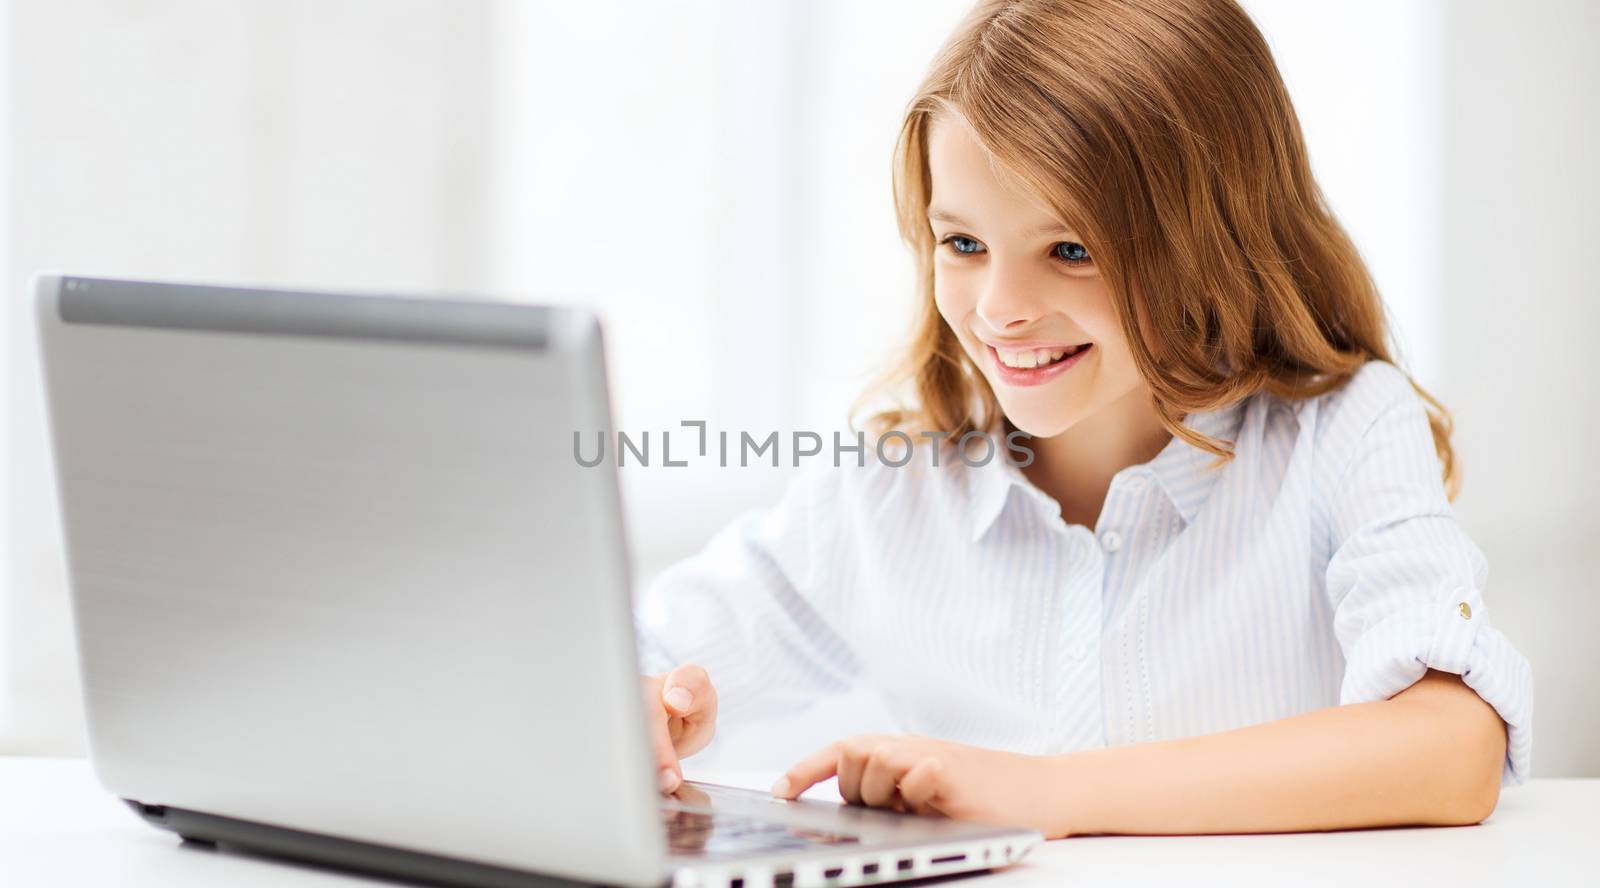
1404 578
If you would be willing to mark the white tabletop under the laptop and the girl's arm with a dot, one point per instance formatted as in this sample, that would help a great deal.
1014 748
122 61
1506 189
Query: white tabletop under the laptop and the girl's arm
60 828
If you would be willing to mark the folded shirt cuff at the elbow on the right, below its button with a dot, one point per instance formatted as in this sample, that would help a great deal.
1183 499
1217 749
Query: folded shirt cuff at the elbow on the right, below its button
1452 636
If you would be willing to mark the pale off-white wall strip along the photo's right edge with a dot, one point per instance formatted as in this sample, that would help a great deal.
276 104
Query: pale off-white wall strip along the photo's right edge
1521 308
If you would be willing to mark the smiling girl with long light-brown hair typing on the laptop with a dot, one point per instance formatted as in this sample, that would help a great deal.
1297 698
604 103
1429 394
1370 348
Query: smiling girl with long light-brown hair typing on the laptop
1228 594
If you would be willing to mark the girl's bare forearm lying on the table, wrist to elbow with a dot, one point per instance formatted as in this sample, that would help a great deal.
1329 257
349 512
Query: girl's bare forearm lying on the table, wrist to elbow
1430 756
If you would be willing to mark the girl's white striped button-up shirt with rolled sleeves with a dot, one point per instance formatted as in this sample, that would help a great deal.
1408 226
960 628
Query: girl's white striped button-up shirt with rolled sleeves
1321 567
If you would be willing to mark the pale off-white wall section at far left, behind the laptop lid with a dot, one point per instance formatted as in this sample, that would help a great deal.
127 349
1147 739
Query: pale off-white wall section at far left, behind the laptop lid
262 142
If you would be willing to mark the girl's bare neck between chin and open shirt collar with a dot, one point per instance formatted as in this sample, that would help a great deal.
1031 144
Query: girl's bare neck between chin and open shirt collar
1076 466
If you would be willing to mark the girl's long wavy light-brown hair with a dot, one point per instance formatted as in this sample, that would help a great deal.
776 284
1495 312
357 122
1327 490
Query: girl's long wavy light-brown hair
1162 134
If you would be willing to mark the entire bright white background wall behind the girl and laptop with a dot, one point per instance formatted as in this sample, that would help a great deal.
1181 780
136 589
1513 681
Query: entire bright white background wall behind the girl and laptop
714 177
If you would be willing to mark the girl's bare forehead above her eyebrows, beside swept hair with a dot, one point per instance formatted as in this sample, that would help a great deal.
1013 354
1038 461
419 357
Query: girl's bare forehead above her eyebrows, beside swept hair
969 182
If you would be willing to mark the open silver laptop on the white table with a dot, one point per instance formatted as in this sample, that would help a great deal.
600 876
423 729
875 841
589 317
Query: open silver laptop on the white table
343 593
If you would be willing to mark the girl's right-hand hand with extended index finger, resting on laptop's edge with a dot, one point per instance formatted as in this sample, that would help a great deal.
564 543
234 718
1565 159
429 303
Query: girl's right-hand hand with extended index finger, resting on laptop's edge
932 777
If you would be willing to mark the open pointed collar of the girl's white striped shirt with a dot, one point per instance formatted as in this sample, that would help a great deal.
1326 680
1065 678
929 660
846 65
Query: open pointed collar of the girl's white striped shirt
1180 471
